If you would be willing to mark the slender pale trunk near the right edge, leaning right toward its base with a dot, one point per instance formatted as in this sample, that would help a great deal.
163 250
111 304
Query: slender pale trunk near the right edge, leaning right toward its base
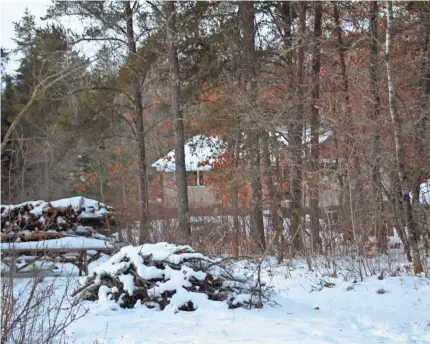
398 138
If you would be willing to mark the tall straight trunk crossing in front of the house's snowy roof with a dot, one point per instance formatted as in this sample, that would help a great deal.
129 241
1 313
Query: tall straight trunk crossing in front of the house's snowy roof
180 168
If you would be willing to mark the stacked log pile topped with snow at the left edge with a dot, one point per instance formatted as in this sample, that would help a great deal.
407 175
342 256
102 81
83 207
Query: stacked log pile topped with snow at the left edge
50 220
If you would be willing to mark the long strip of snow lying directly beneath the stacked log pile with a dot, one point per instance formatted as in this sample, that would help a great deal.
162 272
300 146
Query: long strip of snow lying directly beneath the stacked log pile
67 242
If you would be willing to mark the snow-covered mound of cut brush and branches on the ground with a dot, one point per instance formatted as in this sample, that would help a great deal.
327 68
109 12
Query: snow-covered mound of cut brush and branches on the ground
166 276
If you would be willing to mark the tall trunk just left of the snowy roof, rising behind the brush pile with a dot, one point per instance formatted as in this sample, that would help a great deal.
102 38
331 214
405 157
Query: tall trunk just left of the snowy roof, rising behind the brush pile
140 131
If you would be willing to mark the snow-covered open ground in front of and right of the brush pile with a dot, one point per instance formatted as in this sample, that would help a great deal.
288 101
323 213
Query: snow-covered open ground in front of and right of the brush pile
388 310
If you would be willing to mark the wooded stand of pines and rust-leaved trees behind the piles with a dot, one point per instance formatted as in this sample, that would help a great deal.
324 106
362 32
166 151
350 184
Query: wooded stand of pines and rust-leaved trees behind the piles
103 101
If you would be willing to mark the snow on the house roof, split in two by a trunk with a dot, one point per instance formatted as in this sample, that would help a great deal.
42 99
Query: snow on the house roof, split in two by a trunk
200 152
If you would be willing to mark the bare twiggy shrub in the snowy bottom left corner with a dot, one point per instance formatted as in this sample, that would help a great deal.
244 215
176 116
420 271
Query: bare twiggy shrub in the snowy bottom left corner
34 311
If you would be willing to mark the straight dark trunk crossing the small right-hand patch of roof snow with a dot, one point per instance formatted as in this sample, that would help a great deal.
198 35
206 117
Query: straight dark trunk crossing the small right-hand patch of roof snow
315 127
